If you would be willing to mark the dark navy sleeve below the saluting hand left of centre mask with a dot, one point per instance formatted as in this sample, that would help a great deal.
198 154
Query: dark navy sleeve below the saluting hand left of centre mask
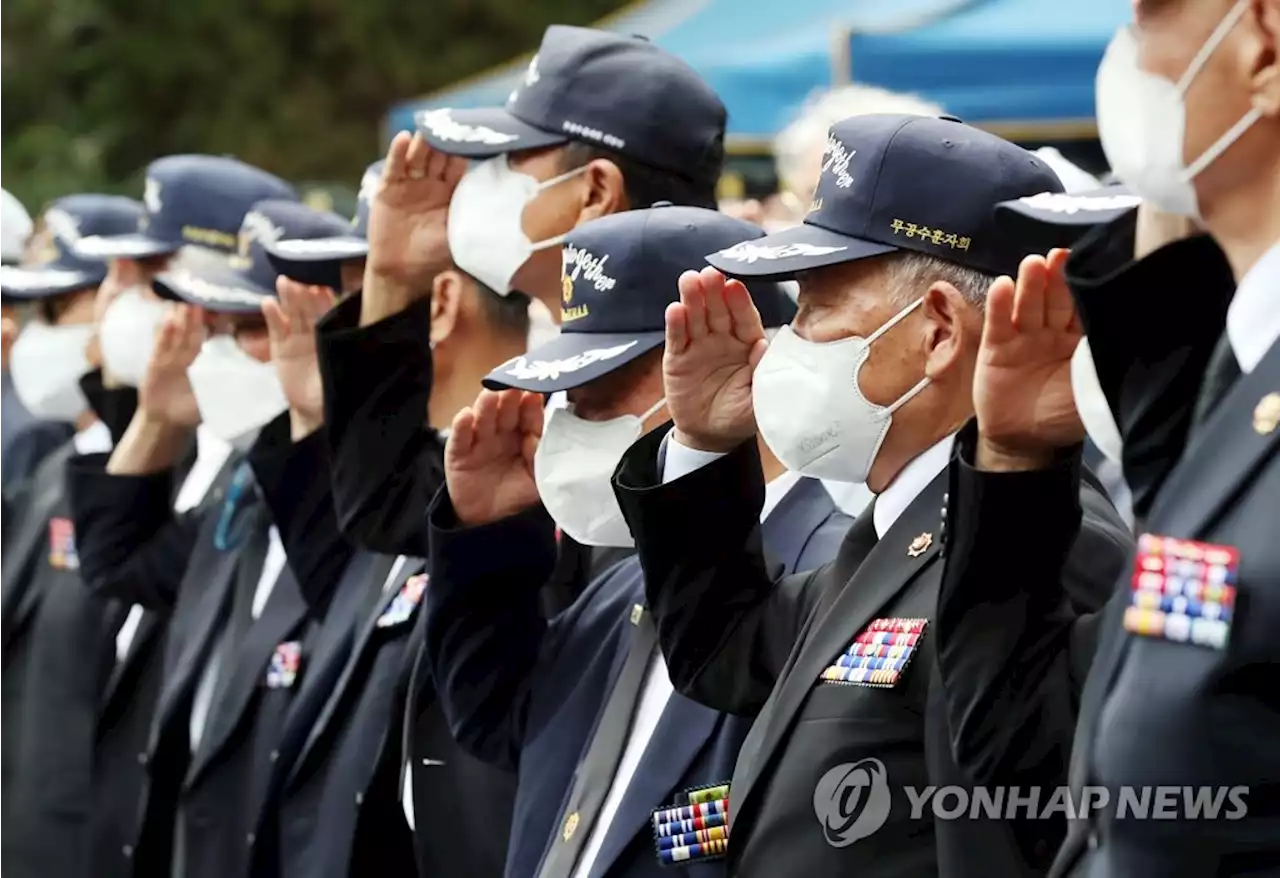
484 625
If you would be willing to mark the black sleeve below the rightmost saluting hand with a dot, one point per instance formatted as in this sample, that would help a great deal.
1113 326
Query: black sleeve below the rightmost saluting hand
1018 618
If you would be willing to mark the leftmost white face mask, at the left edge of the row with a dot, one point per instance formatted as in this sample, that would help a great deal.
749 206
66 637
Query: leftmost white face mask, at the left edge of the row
47 364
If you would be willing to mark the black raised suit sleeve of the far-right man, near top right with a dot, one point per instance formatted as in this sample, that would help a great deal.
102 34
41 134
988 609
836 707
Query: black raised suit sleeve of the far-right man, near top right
1150 358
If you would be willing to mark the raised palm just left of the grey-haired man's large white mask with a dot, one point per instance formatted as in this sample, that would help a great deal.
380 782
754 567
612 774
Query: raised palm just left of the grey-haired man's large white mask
715 342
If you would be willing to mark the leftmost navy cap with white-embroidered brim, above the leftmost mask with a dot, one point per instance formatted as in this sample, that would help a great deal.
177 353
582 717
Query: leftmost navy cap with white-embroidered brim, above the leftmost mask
61 269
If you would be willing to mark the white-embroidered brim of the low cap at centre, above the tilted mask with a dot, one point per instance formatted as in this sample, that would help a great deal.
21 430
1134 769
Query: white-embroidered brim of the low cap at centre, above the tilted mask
572 360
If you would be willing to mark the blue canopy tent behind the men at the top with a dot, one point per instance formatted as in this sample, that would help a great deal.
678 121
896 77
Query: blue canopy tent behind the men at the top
989 62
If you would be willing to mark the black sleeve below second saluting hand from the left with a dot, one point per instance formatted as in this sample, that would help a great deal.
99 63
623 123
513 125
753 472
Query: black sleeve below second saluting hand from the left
296 486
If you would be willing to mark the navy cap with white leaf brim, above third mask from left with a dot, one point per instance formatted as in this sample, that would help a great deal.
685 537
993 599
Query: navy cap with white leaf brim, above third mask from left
248 278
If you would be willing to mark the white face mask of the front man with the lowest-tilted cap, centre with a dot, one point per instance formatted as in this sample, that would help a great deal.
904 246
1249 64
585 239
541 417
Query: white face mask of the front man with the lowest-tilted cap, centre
574 469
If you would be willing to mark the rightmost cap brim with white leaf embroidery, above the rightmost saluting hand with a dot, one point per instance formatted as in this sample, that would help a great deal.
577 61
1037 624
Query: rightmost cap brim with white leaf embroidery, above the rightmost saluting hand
1054 219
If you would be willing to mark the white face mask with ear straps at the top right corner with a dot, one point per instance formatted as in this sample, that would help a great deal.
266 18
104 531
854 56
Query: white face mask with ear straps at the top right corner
1142 122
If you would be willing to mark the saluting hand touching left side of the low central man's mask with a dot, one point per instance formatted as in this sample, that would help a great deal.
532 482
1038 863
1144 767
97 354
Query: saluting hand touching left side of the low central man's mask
490 456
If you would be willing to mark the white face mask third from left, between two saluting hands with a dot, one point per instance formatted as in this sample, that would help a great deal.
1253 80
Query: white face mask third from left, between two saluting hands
236 395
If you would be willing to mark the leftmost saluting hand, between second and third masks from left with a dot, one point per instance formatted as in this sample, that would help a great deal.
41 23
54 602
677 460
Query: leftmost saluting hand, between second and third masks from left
166 396
